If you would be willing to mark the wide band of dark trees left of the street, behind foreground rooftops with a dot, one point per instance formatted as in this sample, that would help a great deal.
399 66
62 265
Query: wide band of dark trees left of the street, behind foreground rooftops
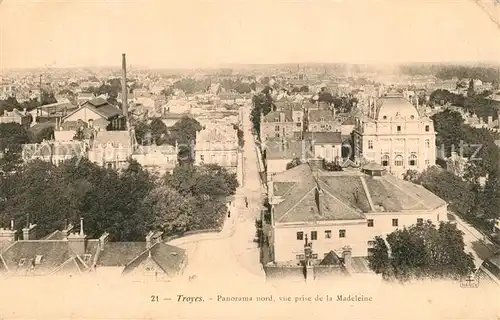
126 204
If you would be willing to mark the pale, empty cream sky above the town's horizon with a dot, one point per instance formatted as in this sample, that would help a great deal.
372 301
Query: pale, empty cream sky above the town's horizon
203 33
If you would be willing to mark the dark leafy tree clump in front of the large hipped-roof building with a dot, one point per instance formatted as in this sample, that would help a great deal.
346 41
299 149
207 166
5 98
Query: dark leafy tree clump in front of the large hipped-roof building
422 251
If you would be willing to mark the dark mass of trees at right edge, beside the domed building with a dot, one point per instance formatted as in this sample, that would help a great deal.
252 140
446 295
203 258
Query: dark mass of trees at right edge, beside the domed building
465 195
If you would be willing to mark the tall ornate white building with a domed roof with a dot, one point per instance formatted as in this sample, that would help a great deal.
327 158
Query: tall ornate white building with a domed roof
396 135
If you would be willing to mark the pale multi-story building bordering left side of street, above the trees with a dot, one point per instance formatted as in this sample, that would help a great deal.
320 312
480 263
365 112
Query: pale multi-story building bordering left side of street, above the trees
217 145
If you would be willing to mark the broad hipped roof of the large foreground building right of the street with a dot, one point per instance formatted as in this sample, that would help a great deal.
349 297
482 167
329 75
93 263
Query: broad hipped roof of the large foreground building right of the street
322 195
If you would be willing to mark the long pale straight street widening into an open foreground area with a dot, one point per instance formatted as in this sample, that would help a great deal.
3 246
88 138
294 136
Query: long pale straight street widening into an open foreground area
232 253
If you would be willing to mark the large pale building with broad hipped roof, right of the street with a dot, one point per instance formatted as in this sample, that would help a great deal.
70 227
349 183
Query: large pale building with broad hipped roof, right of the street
336 210
